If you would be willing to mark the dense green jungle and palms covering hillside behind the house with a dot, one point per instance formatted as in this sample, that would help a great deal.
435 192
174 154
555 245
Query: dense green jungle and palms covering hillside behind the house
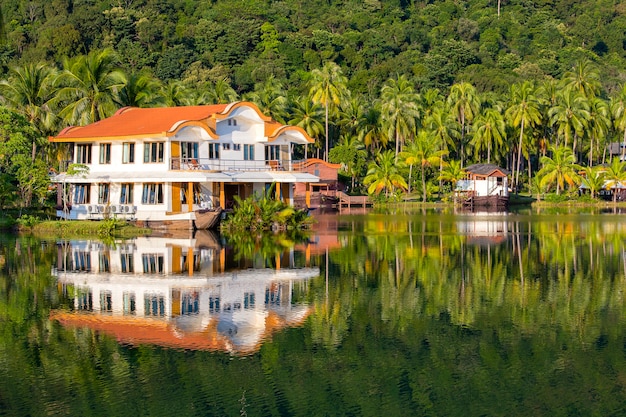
403 94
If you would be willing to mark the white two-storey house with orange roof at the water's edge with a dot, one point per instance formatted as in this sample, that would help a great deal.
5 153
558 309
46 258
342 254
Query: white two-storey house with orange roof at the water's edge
168 166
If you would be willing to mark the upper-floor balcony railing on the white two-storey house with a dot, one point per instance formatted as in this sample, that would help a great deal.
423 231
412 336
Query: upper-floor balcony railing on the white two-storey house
202 164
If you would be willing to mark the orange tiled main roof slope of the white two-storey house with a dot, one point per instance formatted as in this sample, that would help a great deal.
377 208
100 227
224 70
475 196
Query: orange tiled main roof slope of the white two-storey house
137 122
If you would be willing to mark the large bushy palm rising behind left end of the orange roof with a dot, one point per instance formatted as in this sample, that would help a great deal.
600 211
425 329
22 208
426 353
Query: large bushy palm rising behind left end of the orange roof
87 87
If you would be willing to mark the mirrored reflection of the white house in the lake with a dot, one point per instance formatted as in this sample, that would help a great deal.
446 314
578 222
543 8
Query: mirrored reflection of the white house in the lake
181 293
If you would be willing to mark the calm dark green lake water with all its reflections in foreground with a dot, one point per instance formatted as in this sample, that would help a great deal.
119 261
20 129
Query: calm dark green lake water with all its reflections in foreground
393 314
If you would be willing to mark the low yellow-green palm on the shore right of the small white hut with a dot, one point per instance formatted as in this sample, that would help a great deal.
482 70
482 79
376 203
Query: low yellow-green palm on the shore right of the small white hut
560 168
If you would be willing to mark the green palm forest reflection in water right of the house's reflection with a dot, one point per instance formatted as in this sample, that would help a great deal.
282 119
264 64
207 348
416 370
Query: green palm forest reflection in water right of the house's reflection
531 272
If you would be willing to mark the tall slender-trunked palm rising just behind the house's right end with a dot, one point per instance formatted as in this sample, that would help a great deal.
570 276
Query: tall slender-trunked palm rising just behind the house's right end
328 87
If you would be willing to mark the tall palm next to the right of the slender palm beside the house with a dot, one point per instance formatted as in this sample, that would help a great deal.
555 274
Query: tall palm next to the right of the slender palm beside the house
399 108
